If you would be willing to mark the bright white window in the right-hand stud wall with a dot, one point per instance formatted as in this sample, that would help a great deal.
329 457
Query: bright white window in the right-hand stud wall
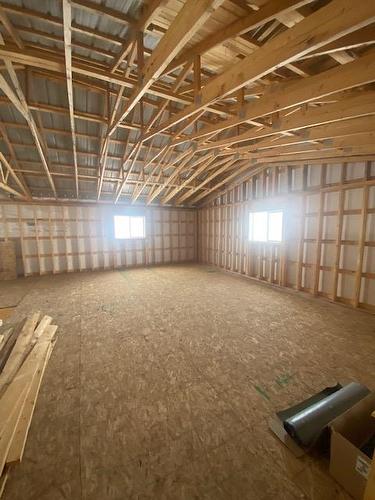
266 226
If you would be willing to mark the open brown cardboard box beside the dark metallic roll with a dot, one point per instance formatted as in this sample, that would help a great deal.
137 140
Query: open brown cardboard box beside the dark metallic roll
349 432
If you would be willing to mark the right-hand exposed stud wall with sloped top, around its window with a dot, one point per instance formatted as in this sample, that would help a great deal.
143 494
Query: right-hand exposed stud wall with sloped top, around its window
329 230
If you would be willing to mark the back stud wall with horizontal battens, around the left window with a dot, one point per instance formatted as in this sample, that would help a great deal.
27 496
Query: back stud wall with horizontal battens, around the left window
68 238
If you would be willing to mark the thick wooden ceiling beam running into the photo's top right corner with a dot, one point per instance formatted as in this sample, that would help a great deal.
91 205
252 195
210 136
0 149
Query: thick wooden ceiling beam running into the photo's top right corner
337 19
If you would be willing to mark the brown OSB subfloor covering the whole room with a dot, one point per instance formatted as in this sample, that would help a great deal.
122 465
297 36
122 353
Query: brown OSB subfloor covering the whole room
163 379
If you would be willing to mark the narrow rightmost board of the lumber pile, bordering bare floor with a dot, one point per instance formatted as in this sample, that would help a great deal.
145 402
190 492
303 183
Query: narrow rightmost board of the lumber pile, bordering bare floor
17 446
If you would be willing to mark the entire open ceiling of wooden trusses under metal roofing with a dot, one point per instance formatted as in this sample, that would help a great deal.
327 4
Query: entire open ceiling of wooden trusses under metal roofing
177 98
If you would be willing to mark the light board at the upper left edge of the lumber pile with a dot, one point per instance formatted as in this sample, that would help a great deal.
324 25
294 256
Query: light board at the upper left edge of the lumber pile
19 351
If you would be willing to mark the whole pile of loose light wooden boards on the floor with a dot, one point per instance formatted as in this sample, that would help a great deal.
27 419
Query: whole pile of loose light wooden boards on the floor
24 353
